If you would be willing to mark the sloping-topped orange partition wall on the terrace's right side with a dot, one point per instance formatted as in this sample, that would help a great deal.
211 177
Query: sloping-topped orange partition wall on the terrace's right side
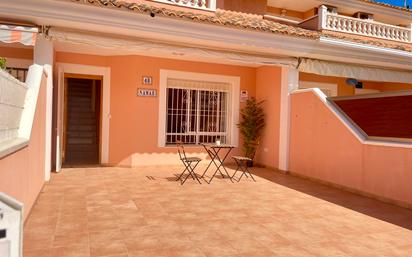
322 147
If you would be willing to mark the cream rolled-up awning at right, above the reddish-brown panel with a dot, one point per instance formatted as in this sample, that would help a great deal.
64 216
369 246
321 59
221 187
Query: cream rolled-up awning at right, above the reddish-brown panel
358 72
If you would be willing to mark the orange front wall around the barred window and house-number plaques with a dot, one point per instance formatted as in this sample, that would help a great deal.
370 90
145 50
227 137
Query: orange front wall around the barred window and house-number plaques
134 120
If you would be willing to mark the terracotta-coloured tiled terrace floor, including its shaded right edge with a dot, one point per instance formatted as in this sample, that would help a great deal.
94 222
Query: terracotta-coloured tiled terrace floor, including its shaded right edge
119 212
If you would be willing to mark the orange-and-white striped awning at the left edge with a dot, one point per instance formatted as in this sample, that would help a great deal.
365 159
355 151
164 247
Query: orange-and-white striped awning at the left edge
18 34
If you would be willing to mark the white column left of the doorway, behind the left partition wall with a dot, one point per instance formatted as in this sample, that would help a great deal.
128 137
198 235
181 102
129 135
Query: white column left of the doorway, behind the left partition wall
44 55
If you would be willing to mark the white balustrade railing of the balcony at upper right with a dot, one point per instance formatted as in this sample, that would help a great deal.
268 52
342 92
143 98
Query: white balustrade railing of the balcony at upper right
369 28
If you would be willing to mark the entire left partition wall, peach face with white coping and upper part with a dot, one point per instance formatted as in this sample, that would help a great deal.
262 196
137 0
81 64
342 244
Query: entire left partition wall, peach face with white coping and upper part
22 143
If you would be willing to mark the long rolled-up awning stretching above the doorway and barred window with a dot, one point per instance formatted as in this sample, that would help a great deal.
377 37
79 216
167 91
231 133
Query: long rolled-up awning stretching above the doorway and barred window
131 45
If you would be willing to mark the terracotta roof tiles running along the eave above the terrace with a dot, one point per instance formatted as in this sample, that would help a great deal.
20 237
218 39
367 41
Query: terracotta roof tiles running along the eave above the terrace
240 20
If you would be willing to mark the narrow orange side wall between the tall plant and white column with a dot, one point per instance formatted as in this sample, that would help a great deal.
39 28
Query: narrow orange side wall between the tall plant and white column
268 81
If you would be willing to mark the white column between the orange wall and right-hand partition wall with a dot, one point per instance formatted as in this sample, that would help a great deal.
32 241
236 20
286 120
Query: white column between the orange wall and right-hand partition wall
290 82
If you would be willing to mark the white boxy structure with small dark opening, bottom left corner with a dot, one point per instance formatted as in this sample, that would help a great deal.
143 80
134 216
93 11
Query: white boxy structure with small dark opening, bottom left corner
11 227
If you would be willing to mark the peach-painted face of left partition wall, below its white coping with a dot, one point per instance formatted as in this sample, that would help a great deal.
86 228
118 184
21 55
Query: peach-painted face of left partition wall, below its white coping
22 172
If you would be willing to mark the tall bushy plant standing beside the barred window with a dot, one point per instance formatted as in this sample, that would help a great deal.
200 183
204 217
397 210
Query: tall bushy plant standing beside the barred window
251 126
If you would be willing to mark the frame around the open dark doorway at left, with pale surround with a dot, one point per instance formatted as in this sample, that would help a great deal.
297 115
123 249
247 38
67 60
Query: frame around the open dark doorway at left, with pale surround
84 71
